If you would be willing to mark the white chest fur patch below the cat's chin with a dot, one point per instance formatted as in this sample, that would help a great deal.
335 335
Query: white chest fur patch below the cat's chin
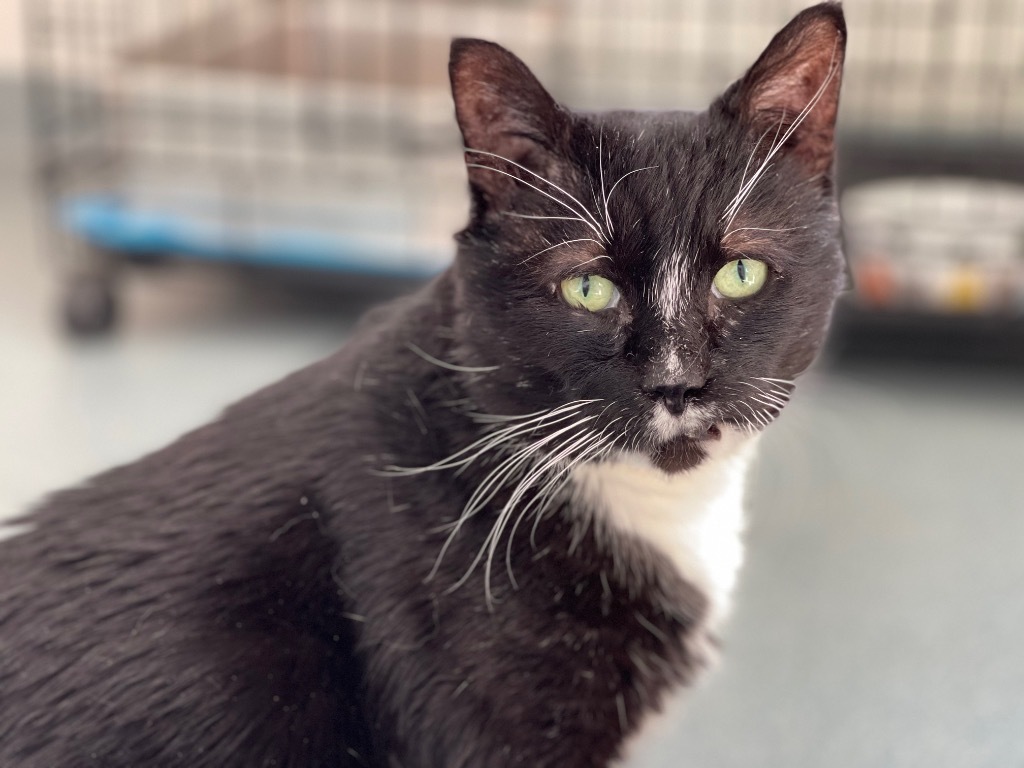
695 519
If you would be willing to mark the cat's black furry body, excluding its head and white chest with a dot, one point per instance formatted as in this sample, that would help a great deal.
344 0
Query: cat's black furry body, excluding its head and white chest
232 622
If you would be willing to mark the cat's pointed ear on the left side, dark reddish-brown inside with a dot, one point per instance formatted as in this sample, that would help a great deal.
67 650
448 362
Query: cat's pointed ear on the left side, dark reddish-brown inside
506 117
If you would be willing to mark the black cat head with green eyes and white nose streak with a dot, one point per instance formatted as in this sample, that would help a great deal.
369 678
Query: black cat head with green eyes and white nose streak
665 276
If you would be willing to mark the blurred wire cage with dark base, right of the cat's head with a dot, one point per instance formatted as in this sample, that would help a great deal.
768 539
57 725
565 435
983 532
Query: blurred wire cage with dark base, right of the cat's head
932 163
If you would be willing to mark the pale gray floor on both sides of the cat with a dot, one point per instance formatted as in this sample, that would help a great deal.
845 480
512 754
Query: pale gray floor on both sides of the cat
880 620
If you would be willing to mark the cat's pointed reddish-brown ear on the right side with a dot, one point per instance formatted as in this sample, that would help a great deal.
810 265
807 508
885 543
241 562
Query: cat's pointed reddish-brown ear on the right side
793 90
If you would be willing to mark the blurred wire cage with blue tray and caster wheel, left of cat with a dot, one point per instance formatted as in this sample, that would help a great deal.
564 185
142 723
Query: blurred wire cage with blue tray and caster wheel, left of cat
310 135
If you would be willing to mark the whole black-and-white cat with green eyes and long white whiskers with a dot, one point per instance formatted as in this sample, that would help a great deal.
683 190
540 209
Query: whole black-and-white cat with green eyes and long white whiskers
502 525
